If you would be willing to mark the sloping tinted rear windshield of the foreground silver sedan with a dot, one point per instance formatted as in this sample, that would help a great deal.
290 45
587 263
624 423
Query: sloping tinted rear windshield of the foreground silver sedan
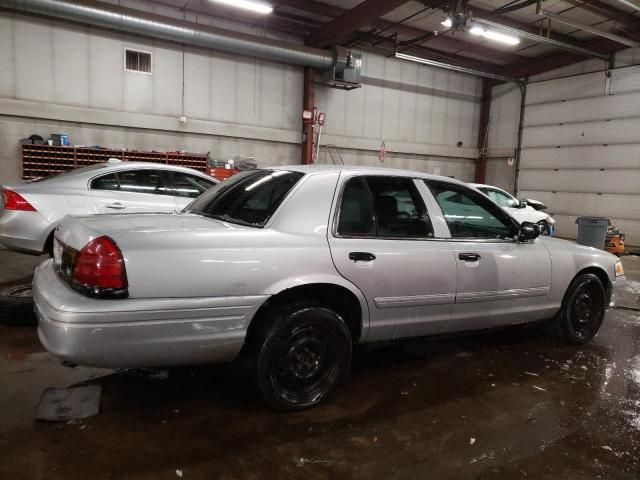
248 198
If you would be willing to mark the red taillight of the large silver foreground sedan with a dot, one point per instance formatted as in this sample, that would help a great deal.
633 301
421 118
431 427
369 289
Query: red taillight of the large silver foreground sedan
98 269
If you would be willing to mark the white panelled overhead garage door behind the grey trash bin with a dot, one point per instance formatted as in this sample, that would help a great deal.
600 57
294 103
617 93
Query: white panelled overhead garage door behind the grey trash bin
581 149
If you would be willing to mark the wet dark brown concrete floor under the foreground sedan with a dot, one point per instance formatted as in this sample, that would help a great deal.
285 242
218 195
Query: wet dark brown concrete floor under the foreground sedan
508 404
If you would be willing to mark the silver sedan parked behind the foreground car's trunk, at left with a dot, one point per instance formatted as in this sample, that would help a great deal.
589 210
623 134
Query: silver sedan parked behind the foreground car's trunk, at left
30 211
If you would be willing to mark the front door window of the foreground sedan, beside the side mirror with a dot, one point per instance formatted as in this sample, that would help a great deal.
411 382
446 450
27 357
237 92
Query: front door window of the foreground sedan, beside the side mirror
470 214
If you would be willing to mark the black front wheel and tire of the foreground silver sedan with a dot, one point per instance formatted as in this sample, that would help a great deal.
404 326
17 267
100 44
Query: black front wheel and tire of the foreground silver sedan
582 311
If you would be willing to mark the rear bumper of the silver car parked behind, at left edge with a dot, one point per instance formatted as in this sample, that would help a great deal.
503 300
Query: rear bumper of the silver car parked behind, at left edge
24 232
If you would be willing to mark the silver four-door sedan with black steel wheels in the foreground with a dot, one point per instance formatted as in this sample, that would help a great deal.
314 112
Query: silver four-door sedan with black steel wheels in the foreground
291 267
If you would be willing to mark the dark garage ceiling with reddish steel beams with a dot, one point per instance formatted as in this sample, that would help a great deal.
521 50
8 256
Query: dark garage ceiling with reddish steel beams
414 27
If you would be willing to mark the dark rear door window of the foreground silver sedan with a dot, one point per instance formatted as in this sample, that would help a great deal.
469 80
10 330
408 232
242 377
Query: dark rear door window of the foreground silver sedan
383 206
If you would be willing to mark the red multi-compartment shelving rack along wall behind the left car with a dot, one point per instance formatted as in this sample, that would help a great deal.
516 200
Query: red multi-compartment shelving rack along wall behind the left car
45 160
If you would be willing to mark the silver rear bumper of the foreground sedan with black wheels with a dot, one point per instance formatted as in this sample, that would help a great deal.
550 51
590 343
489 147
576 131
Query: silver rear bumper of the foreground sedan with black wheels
128 333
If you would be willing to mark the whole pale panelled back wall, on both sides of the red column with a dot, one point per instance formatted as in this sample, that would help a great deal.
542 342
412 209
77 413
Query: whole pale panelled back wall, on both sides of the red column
57 77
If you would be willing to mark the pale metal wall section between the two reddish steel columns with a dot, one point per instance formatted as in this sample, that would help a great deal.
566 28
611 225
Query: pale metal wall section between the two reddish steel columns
421 113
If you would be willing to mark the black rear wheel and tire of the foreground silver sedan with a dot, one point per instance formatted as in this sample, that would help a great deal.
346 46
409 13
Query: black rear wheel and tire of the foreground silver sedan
301 354
